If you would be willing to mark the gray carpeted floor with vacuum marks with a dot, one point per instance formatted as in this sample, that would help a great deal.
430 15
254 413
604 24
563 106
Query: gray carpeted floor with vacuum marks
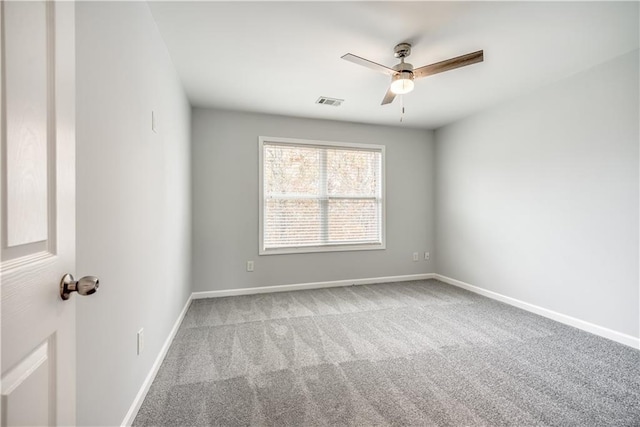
411 353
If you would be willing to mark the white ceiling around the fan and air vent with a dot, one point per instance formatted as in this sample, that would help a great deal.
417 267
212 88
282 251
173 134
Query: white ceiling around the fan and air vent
279 57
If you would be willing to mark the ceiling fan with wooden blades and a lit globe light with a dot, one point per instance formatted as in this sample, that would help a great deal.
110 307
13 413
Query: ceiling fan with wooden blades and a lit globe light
403 74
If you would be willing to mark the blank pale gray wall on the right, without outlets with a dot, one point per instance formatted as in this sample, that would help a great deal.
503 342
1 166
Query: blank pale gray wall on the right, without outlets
538 199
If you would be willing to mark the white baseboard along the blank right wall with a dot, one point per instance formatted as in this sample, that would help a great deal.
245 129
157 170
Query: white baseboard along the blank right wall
625 339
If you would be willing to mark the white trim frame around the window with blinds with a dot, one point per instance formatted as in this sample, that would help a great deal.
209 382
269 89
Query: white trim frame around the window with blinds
324 248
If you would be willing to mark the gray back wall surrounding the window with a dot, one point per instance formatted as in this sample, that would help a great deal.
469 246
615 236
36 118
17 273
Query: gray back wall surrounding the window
225 202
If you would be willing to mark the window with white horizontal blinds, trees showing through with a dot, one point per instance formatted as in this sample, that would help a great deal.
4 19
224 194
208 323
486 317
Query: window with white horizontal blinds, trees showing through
318 196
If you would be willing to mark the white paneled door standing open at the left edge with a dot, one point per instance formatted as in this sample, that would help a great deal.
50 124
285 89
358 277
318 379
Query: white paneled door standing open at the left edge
38 212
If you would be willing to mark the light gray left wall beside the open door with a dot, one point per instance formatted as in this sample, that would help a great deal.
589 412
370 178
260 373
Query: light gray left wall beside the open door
133 202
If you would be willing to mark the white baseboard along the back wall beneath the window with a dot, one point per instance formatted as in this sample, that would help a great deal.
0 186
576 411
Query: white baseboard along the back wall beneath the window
314 285
